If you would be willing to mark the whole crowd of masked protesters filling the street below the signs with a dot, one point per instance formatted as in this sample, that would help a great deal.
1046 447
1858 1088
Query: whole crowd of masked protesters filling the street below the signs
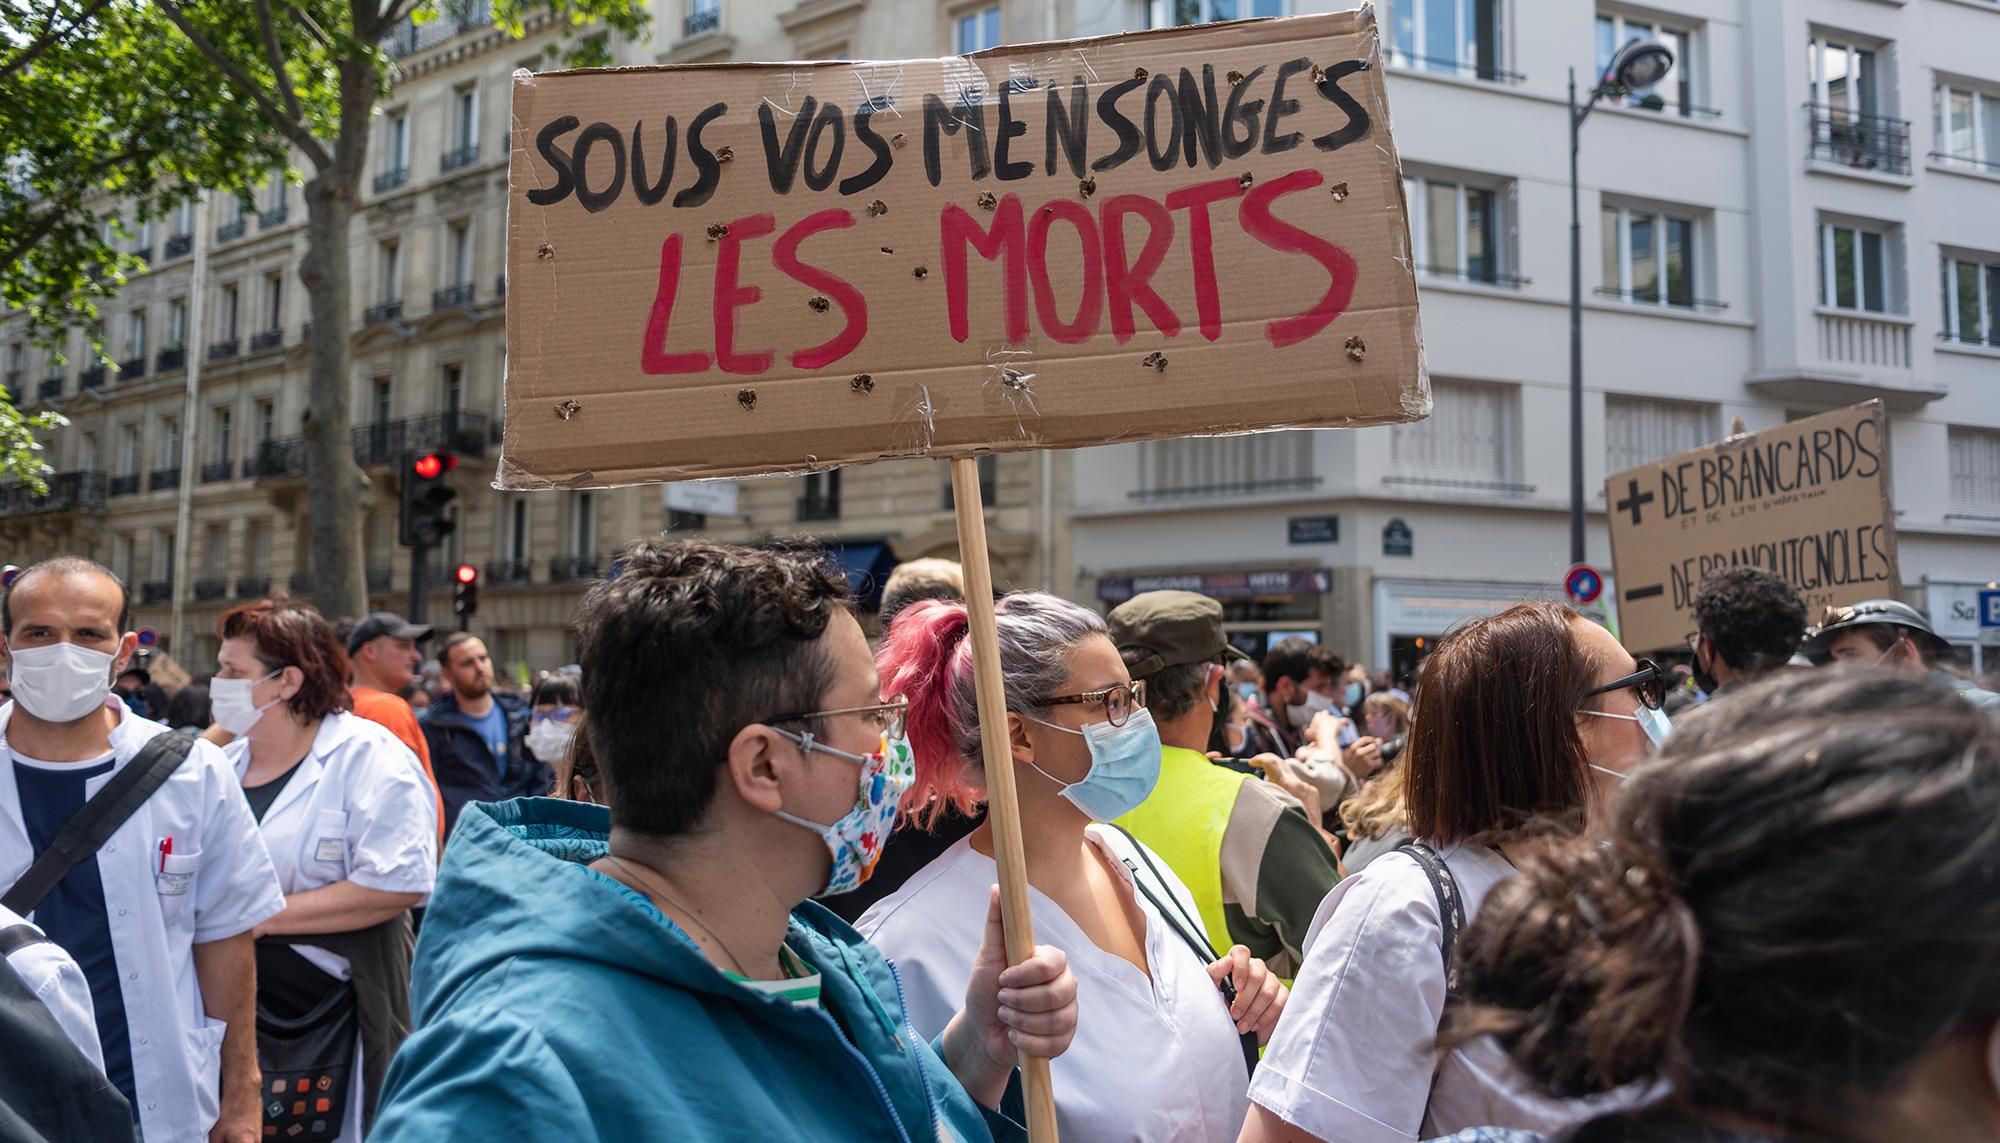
731 874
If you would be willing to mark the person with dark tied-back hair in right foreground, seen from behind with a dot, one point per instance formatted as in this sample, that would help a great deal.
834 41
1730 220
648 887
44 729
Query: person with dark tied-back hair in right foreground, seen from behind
1795 926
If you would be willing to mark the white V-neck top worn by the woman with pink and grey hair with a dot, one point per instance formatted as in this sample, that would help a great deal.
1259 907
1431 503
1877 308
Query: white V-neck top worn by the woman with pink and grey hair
1151 1062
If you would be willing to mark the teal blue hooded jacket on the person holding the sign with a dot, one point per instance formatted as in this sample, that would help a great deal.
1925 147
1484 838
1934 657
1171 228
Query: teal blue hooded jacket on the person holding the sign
557 1004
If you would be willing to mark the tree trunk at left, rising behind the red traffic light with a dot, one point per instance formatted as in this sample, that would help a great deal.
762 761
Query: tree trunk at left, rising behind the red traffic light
335 483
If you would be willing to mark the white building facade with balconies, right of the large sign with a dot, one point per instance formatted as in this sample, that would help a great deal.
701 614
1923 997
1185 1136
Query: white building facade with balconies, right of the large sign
1805 215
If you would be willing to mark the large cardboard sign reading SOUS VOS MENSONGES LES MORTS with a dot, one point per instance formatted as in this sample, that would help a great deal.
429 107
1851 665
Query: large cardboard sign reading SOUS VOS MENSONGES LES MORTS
747 269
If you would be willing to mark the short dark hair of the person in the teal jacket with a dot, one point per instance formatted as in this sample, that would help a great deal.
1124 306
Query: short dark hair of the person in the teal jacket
693 642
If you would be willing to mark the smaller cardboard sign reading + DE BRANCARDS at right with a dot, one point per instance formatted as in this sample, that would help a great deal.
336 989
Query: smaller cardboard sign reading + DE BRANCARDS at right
1809 501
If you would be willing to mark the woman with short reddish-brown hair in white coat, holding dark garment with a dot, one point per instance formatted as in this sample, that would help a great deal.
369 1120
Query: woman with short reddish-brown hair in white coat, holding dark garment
351 826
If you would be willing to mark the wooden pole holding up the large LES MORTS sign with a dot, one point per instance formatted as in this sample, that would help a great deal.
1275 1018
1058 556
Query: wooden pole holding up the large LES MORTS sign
1001 804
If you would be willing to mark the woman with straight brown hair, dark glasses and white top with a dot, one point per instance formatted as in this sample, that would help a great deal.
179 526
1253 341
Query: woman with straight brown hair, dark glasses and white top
1523 724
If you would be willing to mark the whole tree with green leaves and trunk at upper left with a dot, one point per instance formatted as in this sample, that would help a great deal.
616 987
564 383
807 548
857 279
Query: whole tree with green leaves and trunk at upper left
149 101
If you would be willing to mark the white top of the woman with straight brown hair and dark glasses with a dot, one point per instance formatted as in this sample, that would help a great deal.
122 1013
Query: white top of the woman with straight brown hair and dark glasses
1353 1054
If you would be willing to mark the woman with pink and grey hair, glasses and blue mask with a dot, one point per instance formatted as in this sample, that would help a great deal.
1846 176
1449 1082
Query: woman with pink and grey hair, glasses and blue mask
1085 754
